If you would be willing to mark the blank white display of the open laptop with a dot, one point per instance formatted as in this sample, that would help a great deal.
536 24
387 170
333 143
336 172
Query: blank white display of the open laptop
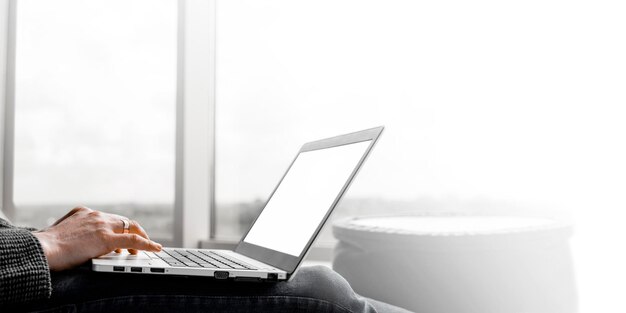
304 196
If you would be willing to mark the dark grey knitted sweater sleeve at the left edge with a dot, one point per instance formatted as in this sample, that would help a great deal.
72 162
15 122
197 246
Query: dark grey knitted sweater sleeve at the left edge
24 272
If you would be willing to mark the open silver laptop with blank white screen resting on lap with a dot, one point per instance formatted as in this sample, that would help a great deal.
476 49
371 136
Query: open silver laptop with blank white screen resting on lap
282 234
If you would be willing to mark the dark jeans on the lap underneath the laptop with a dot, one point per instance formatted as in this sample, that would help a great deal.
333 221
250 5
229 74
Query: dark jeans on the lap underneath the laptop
313 289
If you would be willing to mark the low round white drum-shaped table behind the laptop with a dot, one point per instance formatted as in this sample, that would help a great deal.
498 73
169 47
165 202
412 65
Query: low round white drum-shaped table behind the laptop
459 264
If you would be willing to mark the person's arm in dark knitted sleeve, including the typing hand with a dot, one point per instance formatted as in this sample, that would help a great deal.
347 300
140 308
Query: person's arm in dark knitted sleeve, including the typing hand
27 257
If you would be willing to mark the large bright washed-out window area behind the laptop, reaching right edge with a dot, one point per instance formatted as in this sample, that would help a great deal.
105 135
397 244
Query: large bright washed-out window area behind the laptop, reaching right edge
489 106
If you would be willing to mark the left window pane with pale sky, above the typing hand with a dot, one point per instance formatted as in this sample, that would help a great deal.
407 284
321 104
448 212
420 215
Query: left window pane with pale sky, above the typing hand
95 109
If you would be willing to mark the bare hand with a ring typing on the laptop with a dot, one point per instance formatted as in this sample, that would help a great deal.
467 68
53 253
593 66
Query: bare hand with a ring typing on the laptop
83 234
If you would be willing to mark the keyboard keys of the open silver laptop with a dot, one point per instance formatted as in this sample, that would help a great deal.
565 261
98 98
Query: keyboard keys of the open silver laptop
201 258
